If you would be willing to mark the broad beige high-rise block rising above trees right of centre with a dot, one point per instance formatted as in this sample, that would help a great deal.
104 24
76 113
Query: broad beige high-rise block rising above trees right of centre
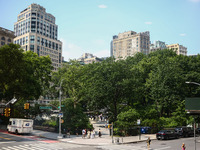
129 43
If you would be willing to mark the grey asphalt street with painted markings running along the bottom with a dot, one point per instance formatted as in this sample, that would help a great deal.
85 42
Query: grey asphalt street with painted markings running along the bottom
21 142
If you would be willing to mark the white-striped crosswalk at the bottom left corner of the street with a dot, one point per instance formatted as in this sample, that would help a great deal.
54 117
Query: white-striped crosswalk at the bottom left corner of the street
29 147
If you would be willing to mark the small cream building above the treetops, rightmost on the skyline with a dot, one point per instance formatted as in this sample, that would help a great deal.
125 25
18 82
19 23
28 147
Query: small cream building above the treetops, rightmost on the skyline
179 49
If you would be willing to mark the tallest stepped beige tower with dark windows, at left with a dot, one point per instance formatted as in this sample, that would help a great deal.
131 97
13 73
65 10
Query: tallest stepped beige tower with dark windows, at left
36 30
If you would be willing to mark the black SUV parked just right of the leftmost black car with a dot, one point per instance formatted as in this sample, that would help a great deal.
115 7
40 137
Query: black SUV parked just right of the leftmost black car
184 131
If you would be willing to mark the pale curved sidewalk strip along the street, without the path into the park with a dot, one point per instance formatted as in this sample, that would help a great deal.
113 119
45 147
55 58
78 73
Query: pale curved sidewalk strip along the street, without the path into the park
104 140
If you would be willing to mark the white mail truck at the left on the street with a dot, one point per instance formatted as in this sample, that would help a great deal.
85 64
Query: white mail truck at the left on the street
17 125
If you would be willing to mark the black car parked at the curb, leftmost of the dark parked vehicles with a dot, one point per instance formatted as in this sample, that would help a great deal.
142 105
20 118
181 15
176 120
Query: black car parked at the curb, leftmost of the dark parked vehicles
167 134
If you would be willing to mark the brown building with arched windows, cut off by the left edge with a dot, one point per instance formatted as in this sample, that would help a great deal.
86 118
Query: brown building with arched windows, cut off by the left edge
6 36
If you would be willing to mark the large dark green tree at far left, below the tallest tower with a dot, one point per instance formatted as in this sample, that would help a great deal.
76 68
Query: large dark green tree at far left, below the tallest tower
22 75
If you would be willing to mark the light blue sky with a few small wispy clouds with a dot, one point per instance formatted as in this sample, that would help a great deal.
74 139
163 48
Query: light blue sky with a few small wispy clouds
88 25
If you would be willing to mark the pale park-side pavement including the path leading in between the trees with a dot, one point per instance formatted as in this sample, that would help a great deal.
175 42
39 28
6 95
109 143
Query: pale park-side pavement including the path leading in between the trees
105 139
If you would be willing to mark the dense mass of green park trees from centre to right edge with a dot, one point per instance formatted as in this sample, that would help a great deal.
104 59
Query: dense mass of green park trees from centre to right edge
147 87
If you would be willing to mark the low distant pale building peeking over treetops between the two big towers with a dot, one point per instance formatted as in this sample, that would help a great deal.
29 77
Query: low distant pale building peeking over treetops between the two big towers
88 58
